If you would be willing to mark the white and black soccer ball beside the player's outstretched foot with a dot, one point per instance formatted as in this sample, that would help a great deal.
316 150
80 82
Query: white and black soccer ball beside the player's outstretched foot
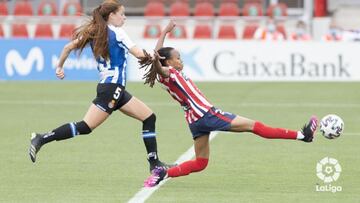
331 126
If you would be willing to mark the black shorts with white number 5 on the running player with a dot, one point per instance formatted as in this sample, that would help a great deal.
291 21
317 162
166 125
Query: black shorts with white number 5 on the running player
111 97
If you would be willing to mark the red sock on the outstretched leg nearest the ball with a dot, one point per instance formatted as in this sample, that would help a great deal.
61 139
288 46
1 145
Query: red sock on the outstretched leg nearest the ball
273 133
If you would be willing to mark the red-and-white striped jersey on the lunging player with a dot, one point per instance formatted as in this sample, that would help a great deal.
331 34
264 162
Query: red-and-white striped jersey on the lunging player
183 90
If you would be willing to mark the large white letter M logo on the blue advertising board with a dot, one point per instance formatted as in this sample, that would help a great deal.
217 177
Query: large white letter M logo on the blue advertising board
13 60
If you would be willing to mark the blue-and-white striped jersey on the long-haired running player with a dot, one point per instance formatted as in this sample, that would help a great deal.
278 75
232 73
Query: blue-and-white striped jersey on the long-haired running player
113 70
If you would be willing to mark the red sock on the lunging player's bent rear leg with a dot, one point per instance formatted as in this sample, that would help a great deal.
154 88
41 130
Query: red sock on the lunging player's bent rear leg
188 167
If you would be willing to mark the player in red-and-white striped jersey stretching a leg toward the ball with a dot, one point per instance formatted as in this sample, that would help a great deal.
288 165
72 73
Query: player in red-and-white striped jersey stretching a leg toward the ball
201 115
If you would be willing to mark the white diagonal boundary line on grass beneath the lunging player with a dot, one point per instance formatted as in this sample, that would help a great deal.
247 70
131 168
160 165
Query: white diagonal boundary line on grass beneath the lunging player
143 194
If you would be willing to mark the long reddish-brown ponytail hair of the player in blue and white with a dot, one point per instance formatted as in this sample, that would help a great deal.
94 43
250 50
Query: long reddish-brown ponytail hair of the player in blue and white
95 31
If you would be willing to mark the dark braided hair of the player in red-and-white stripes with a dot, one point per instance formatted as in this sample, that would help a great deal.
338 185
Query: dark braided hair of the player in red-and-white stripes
151 74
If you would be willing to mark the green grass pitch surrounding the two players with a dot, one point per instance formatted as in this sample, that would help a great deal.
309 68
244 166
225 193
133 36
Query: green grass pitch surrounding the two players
110 164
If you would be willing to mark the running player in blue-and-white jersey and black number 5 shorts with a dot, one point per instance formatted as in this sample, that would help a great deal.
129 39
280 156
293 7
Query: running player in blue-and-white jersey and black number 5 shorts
110 45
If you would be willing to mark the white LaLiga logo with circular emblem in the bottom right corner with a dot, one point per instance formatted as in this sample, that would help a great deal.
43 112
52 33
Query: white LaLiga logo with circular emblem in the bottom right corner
328 169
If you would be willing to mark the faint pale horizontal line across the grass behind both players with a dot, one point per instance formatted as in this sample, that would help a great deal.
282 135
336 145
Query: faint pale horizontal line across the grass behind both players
244 104
